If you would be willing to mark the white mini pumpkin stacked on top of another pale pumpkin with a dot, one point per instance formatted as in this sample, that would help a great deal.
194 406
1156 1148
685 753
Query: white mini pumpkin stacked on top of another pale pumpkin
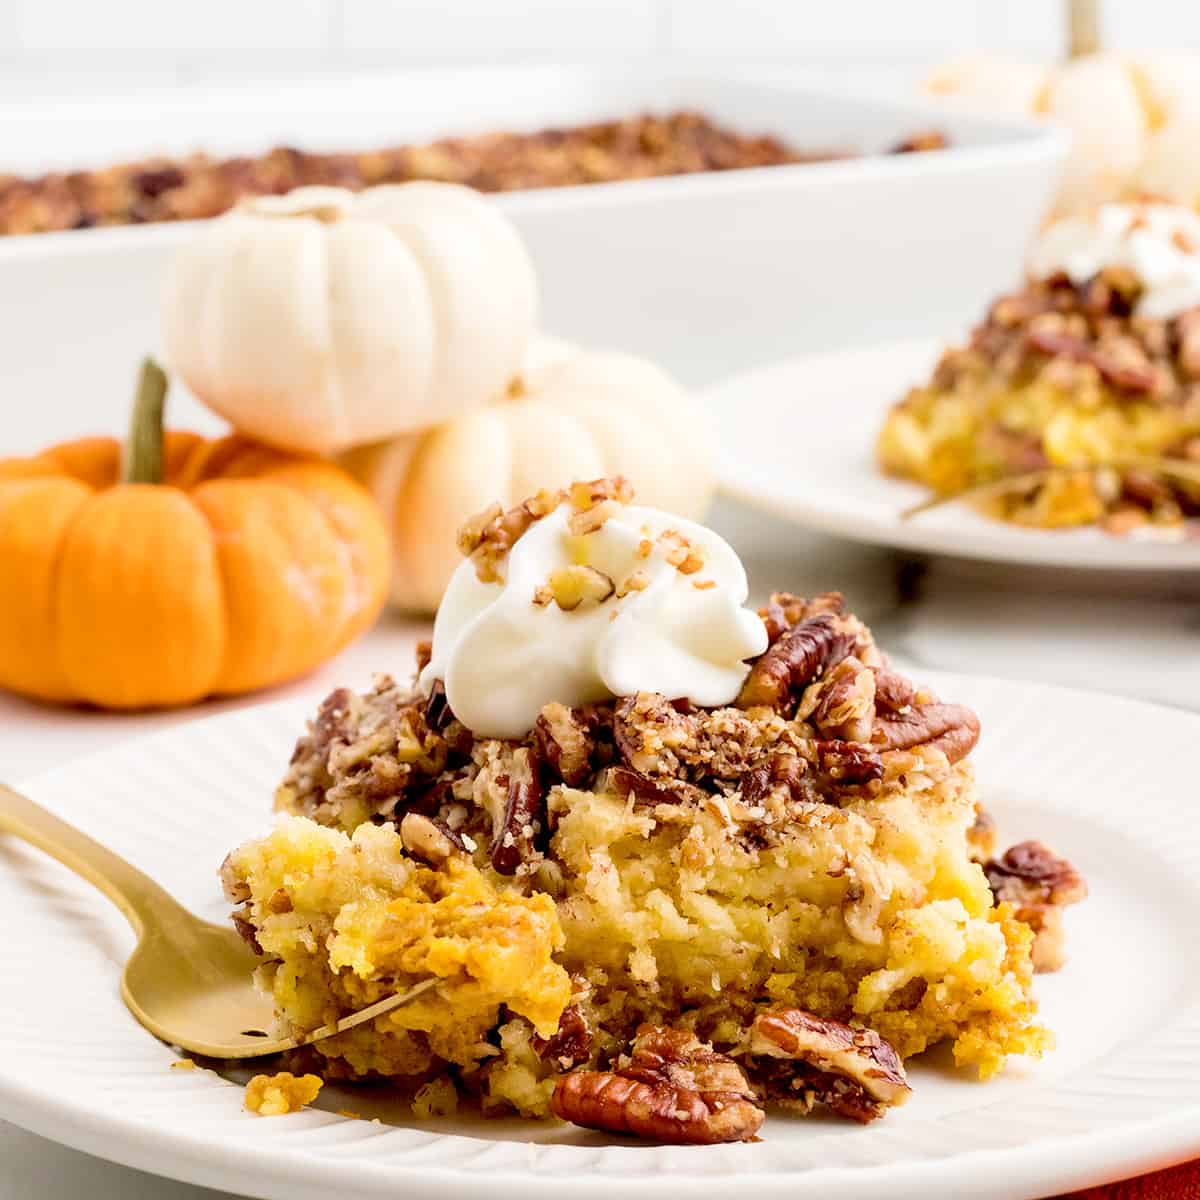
322 320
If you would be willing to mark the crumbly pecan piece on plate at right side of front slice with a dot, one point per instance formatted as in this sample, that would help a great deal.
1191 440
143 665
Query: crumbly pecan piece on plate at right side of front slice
1039 885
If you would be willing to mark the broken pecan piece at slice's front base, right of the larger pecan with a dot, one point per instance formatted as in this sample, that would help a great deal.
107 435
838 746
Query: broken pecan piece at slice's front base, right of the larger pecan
801 1061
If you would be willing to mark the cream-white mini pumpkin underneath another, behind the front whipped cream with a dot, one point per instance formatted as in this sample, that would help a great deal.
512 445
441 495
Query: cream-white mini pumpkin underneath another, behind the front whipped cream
572 416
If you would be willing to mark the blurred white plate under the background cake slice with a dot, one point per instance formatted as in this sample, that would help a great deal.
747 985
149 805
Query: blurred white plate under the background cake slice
799 440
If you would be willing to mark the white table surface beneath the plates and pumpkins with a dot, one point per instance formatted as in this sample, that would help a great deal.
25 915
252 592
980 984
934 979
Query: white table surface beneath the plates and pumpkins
1139 638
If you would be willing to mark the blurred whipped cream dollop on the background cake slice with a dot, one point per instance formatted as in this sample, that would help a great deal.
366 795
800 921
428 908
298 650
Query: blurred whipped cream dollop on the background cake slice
1159 243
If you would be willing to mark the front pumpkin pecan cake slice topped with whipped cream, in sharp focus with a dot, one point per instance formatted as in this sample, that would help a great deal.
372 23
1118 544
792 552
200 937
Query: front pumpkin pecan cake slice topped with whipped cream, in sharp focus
739 854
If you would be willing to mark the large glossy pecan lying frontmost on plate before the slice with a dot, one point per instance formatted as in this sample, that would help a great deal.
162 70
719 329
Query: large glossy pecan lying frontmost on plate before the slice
673 1089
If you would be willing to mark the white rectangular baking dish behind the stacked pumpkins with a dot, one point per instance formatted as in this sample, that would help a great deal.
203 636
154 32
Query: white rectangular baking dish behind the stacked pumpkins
709 274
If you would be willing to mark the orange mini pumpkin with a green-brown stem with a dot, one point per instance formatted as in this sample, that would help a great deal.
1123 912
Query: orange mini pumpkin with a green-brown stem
181 569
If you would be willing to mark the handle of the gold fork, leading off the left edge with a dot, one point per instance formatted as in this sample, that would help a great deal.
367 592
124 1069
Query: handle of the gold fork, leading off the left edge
136 895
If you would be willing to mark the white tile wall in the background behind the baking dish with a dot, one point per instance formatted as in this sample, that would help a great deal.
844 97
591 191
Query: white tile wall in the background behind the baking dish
80 46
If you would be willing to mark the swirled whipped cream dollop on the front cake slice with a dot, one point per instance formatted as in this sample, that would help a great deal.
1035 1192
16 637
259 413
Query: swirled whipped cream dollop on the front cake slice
653 604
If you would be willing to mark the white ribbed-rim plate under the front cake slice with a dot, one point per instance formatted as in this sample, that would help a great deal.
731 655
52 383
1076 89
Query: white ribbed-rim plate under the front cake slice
1100 778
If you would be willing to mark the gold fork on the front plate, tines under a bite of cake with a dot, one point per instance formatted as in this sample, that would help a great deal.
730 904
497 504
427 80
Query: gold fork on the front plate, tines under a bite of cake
188 981
